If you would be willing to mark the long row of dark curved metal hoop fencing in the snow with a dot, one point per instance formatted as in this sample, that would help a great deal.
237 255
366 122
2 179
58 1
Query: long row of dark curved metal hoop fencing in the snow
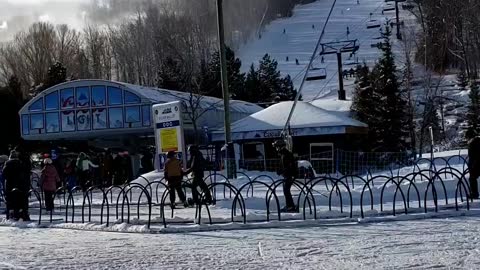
393 192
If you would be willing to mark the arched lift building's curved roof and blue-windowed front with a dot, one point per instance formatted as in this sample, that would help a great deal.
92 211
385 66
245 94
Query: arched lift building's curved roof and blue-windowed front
99 109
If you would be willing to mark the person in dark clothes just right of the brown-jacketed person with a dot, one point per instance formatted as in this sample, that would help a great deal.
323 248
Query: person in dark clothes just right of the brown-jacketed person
197 168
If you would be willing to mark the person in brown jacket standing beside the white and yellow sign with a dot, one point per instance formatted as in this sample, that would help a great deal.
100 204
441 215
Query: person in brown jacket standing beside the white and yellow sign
173 175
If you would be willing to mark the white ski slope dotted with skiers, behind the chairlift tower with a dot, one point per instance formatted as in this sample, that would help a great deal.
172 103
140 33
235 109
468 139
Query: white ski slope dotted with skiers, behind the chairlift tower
299 40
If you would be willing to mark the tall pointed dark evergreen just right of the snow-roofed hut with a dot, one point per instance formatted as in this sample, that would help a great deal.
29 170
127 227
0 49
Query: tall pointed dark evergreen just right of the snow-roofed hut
379 102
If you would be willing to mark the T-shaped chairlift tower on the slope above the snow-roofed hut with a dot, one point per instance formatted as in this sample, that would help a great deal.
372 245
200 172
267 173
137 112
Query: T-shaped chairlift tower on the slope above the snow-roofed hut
346 46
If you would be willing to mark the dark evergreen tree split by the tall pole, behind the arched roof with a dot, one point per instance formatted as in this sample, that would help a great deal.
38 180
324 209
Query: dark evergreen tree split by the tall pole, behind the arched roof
236 79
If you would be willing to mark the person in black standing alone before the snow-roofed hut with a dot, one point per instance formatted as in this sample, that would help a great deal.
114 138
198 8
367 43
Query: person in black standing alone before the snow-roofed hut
288 170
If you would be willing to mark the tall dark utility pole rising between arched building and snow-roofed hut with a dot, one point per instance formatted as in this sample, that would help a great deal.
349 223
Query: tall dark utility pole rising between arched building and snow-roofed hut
229 149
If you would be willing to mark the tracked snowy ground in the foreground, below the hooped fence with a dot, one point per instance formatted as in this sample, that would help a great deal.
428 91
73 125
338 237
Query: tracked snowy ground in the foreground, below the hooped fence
448 243
